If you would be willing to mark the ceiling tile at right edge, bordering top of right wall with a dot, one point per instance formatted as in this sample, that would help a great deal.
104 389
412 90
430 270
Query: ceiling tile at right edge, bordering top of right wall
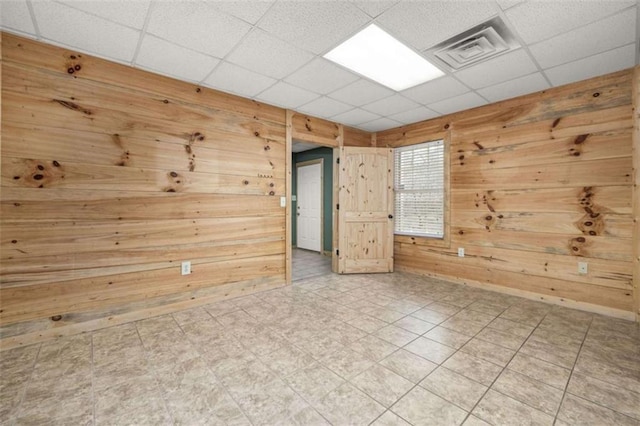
603 63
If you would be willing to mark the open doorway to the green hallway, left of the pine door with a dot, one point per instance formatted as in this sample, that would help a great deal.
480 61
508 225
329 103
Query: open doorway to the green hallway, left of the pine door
311 206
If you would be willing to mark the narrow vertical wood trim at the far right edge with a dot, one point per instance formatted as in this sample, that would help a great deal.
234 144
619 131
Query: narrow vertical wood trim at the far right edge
636 190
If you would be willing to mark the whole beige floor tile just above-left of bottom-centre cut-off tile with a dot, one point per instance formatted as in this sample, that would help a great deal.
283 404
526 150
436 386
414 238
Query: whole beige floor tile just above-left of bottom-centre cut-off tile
314 382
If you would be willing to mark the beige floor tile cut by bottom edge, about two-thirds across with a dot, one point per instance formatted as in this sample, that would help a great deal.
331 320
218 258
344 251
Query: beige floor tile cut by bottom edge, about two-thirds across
421 407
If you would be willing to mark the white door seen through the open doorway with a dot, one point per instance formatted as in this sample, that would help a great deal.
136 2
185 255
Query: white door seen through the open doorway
309 210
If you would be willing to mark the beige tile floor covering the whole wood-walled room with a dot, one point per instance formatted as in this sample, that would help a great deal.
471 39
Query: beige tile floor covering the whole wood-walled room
392 349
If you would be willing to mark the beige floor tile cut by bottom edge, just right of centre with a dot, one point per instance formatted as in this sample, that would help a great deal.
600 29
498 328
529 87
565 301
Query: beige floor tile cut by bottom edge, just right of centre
347 405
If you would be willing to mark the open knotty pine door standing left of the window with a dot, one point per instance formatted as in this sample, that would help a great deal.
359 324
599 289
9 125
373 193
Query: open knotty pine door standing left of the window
365 210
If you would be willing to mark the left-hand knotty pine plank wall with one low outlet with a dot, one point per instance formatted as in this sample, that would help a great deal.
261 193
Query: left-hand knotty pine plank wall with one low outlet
112 176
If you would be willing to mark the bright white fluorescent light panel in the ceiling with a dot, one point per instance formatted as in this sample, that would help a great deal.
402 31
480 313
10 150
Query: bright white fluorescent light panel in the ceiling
377 55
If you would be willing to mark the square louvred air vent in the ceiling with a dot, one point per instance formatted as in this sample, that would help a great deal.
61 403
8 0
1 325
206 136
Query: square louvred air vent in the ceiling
484 41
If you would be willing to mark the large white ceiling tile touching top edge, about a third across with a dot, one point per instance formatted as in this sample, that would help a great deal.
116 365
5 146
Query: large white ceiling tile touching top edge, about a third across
198 26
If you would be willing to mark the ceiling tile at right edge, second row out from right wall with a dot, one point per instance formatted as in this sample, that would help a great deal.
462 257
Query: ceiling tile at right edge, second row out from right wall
597 37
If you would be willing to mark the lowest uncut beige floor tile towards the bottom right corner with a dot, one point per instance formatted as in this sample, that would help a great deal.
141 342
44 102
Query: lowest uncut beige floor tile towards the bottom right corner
529 391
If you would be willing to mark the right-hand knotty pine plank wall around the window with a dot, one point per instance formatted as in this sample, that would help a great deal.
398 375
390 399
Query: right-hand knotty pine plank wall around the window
538 183
